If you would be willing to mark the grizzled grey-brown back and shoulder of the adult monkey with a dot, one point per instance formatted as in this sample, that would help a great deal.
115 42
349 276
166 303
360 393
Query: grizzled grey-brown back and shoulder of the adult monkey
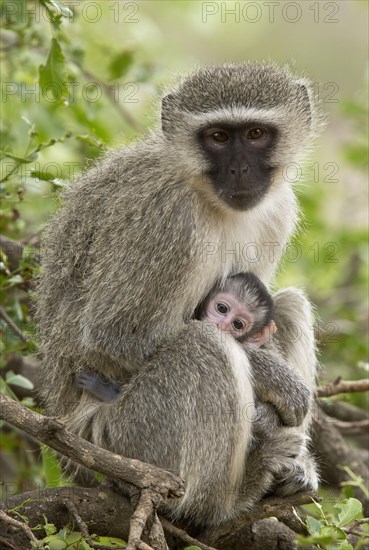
90 254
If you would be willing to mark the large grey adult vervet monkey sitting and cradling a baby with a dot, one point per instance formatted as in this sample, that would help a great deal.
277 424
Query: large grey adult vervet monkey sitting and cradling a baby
126 263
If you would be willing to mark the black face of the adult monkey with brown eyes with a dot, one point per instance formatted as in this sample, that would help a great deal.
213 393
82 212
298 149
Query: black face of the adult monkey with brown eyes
239 155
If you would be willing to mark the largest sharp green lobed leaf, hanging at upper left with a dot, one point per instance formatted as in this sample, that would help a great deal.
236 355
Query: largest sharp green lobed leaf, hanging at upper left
52 75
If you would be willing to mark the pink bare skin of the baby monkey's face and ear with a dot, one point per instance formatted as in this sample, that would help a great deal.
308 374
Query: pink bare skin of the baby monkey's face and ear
234 317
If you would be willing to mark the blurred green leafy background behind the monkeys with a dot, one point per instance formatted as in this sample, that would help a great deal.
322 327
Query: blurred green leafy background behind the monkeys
78 77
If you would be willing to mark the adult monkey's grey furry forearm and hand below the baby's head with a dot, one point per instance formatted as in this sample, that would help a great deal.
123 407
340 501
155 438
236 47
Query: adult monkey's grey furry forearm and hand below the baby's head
276 383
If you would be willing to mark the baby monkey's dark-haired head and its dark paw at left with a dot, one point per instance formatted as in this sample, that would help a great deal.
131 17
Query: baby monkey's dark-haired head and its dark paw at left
241 307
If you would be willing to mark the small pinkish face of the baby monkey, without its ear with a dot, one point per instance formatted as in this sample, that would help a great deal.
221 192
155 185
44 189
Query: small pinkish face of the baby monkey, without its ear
229 314
